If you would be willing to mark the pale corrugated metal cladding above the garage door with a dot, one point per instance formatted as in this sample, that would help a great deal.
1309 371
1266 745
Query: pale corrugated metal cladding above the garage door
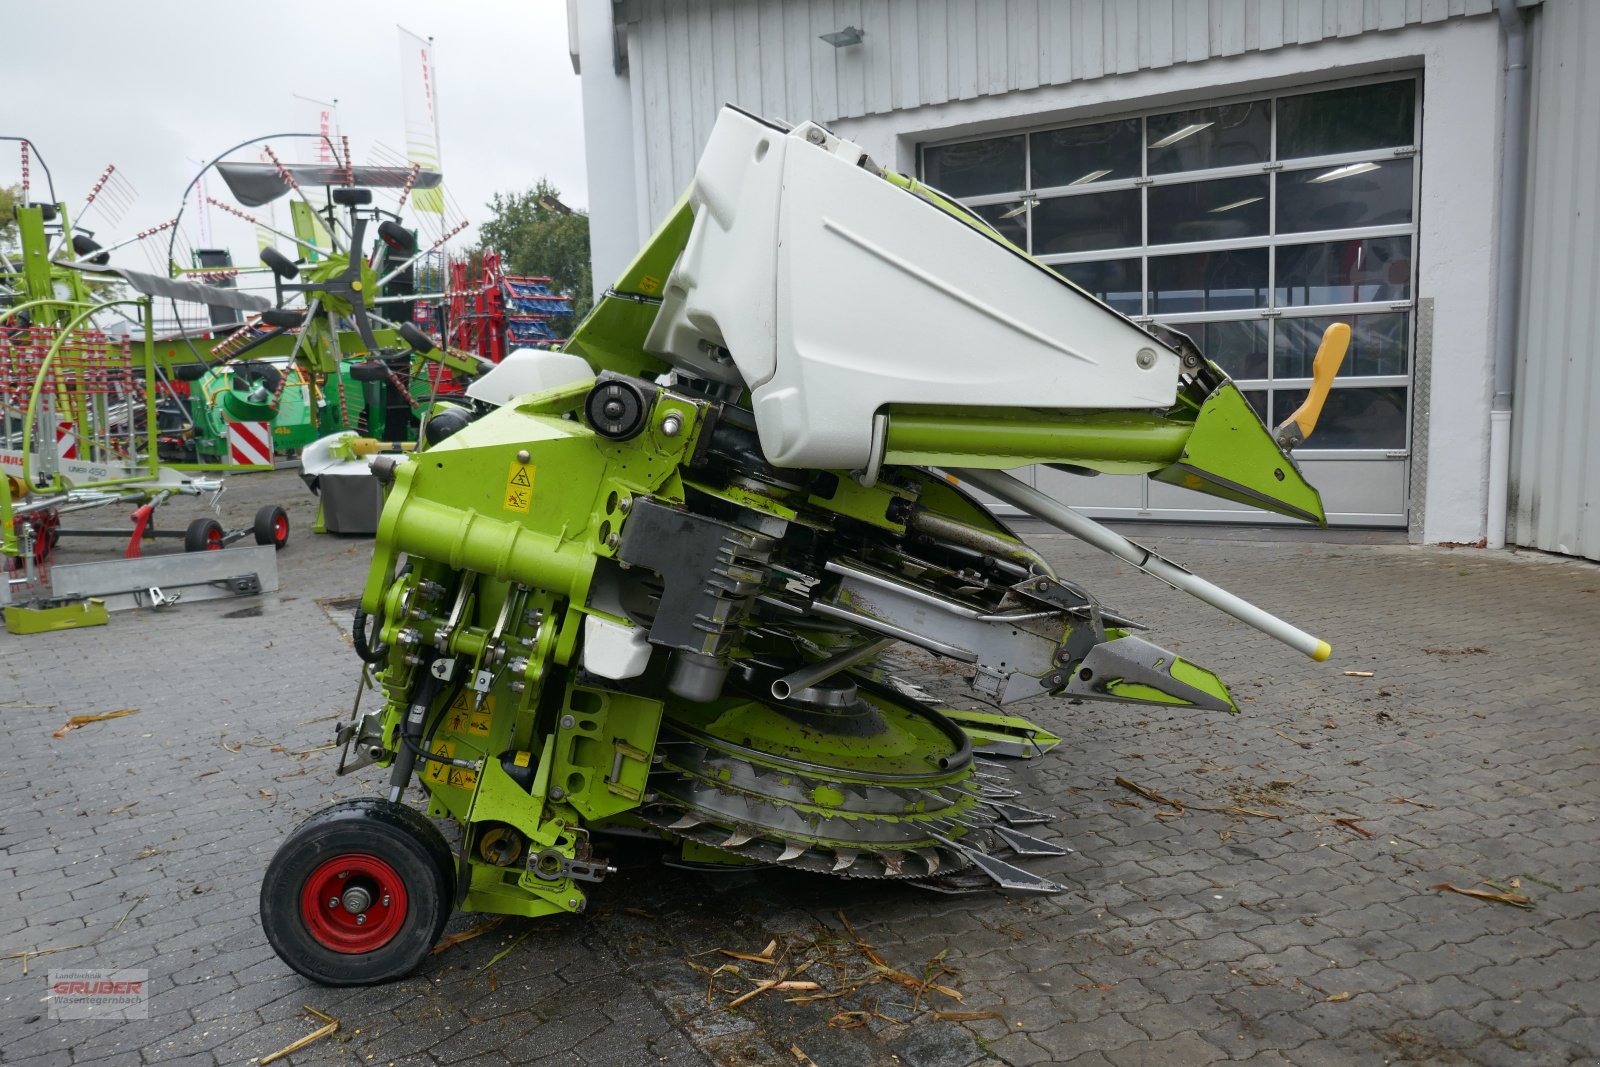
690 57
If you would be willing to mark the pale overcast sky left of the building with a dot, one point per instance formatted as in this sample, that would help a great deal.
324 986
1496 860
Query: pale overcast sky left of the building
151 86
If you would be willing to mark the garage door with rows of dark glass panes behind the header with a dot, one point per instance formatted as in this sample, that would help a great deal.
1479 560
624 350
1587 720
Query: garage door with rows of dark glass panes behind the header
1250 225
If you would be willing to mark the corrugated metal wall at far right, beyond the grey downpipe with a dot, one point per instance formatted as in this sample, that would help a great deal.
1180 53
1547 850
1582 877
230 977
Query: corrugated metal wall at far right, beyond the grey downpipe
1556 460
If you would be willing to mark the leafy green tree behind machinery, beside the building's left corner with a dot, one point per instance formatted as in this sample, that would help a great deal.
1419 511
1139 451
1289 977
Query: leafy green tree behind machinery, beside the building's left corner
540 236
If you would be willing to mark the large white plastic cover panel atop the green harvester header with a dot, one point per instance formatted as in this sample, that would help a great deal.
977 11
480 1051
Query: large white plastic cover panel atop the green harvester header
838 294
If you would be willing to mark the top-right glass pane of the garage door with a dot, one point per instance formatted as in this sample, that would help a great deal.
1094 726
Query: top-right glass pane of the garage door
1358 119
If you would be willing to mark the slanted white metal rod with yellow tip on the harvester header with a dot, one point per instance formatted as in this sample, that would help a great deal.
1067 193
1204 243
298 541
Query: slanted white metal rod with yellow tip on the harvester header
1084 529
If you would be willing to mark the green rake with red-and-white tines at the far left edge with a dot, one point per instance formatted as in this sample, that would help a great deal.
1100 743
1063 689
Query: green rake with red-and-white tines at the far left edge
81 414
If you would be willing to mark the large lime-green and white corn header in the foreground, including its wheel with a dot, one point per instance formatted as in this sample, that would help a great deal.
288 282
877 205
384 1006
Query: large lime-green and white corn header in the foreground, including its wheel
646 585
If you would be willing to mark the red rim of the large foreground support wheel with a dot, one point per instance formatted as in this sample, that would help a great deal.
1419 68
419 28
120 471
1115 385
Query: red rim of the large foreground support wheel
366 882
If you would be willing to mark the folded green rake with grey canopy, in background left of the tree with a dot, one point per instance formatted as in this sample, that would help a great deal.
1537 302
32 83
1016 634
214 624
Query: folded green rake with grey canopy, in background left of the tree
337 350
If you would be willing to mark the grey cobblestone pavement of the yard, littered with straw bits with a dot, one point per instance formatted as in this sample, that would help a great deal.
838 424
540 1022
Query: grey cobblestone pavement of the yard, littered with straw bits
1190 937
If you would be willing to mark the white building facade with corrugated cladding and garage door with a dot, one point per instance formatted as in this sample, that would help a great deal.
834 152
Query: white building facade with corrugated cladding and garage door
1246 170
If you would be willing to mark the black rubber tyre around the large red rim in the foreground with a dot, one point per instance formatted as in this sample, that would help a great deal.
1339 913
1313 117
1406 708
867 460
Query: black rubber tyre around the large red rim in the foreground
398 836
